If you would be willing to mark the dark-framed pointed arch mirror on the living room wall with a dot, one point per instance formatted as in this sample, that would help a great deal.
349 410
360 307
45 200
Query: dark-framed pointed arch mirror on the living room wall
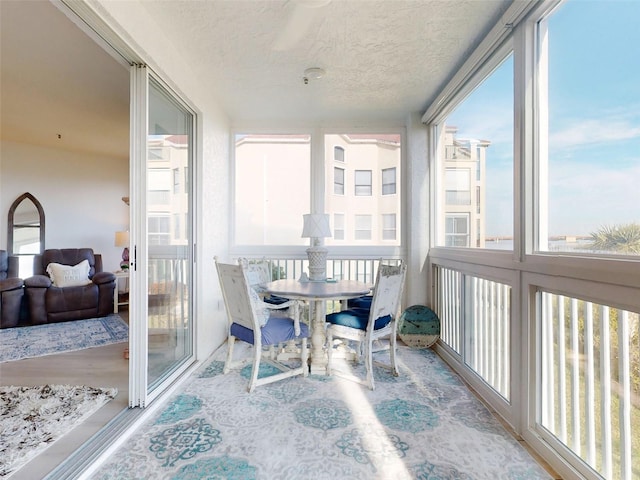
25 237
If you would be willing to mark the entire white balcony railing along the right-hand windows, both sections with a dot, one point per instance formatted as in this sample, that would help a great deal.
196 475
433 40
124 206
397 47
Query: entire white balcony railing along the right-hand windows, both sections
586 371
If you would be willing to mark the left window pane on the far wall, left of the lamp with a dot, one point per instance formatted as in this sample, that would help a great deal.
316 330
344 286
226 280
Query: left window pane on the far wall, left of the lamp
268 204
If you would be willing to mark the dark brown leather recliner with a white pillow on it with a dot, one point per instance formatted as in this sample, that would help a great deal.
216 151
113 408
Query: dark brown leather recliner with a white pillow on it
48 303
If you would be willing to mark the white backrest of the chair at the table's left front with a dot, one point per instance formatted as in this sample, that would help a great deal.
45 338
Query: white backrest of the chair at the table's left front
235 291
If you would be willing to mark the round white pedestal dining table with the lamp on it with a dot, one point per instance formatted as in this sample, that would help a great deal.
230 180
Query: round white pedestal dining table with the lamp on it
317 293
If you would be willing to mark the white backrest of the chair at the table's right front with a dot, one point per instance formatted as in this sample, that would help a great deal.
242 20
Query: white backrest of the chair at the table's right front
387 292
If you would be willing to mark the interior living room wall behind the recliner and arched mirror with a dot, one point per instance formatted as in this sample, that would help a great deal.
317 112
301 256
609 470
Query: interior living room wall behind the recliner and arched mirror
81 194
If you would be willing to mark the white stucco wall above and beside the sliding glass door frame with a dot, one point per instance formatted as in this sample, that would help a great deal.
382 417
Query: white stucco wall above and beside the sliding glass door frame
131 23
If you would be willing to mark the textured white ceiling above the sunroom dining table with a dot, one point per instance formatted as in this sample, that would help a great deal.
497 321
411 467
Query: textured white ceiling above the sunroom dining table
383 58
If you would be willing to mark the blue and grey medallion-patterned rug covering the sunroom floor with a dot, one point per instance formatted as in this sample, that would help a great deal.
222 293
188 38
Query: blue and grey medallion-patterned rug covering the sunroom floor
424 424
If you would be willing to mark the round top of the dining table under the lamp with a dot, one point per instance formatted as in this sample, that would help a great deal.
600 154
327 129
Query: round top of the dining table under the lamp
337 290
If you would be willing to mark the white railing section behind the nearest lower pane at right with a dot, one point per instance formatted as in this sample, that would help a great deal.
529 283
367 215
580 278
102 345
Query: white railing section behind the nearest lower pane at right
586 367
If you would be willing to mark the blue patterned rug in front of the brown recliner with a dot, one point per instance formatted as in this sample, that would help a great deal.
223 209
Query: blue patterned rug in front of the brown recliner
39 340
